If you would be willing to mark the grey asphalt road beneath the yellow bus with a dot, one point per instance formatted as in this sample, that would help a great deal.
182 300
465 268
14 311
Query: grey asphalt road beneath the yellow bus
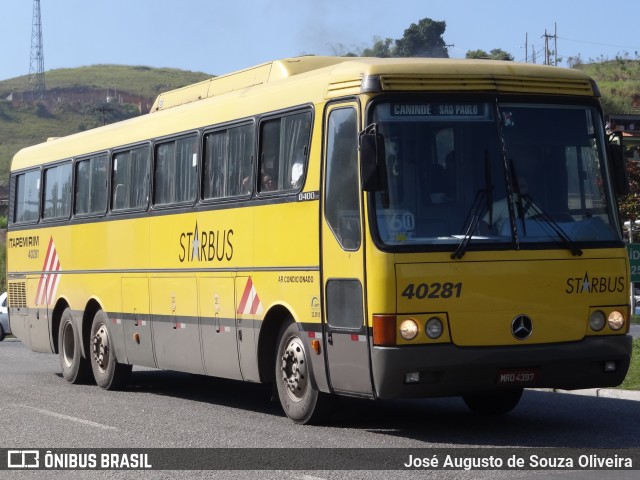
39 409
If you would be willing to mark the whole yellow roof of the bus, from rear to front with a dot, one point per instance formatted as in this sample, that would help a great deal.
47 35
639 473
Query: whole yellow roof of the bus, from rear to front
303 80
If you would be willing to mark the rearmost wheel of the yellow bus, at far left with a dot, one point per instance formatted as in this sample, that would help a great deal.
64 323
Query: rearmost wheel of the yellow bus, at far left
75 368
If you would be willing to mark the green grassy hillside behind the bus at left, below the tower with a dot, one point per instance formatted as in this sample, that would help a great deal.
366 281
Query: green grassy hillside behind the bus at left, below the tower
77 101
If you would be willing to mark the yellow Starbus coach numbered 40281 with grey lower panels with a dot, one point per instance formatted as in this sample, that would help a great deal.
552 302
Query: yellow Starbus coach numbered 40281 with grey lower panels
379 228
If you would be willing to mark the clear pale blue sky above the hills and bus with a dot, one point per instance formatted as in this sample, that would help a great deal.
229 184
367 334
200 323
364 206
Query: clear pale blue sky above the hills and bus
222 36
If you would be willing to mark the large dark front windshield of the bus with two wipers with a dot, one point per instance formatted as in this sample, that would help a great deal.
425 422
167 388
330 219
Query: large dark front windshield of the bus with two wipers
492 173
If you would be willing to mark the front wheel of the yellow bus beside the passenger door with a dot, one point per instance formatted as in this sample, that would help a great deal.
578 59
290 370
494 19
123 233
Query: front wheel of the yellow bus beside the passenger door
300 400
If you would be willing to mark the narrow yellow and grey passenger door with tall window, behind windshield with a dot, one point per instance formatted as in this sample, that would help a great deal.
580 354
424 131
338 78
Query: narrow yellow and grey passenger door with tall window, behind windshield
346 341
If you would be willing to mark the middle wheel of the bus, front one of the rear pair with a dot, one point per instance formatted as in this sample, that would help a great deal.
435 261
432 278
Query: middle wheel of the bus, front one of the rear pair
108 373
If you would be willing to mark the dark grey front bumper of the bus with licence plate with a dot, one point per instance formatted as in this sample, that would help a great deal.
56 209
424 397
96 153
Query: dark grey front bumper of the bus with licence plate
448 370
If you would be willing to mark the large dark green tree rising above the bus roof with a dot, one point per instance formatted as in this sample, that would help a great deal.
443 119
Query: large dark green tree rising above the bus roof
423 39
